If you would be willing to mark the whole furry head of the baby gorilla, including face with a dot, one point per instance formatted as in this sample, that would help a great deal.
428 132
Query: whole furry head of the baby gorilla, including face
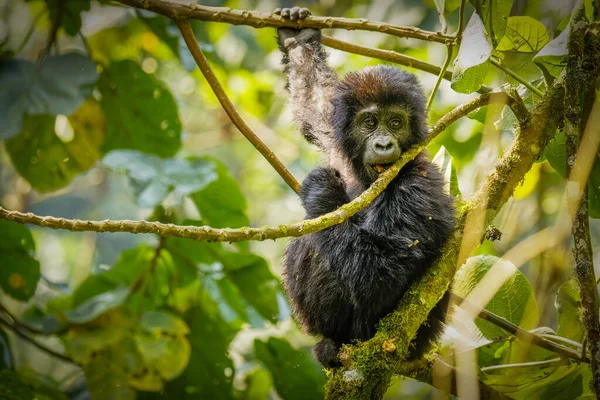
378 113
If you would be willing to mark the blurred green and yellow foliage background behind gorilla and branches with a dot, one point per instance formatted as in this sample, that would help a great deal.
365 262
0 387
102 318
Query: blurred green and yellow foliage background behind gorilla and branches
104 114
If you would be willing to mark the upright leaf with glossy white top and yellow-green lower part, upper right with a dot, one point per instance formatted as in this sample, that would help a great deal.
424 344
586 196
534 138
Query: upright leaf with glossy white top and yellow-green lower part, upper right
471 65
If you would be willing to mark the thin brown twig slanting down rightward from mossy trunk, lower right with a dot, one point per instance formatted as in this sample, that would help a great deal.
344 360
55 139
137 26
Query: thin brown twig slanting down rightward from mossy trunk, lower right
530 337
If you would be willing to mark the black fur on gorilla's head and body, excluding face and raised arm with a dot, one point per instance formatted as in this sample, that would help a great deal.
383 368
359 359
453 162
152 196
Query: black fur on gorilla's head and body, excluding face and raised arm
341 281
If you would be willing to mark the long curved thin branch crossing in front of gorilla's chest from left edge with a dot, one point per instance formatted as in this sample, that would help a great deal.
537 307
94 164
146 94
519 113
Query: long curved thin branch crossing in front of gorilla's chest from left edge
207 233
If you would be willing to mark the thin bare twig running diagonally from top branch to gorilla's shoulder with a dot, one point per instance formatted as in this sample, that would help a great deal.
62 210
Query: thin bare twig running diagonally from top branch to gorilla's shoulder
238 121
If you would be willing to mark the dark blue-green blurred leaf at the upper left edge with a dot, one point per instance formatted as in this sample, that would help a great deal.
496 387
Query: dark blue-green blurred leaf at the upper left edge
58 85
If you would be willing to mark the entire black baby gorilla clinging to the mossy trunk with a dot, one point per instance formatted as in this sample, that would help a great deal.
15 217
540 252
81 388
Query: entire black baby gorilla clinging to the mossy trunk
342 280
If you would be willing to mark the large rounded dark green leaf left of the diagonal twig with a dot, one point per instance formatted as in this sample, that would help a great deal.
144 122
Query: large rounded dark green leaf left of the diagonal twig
141 113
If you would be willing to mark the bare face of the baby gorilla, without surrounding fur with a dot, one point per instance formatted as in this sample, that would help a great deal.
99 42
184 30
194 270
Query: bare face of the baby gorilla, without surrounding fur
382 130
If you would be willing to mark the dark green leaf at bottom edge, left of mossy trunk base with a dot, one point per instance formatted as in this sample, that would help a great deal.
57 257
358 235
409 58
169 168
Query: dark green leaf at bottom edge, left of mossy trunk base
295 375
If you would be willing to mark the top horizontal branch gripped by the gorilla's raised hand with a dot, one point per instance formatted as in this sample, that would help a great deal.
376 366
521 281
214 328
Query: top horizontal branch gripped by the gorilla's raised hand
258 19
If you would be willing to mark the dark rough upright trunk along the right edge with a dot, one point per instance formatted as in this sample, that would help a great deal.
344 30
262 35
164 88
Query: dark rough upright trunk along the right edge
579 161
